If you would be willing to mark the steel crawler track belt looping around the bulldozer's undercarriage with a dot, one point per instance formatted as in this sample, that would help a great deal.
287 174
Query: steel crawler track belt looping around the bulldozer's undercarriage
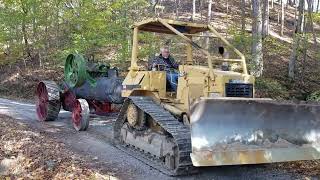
179 132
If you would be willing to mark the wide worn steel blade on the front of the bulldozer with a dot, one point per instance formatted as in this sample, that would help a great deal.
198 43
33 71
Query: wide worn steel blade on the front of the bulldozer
233 131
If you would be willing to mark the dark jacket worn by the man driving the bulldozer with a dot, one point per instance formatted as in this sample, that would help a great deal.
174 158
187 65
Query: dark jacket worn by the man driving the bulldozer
168 62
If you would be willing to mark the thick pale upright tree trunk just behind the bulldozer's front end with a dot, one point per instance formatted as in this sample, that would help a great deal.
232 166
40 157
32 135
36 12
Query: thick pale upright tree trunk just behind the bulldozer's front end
257 55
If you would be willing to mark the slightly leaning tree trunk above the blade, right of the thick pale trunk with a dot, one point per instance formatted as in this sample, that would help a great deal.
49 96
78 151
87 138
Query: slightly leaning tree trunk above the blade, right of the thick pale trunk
296 41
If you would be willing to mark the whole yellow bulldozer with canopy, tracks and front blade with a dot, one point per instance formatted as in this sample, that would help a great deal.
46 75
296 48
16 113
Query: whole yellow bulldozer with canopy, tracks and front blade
213 118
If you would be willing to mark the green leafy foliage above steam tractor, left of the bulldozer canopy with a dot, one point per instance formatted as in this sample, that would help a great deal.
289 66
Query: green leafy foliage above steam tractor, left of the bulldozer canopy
56 28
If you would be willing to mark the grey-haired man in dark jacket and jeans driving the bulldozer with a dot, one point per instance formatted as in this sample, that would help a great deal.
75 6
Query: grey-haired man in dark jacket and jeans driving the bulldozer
165 62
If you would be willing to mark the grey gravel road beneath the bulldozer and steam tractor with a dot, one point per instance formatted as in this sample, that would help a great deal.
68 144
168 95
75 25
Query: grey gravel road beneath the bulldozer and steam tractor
97 144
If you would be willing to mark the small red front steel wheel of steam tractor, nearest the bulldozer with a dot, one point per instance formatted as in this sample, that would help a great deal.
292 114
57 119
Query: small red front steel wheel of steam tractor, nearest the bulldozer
80 115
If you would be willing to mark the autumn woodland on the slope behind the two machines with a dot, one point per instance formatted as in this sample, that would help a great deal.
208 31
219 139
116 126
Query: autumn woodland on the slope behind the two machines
279 38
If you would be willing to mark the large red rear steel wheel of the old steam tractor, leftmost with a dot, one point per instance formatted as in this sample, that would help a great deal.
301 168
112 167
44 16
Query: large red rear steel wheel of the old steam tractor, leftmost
47 101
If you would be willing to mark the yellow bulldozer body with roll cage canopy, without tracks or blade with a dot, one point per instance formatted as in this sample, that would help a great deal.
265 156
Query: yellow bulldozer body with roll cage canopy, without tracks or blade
196 81
